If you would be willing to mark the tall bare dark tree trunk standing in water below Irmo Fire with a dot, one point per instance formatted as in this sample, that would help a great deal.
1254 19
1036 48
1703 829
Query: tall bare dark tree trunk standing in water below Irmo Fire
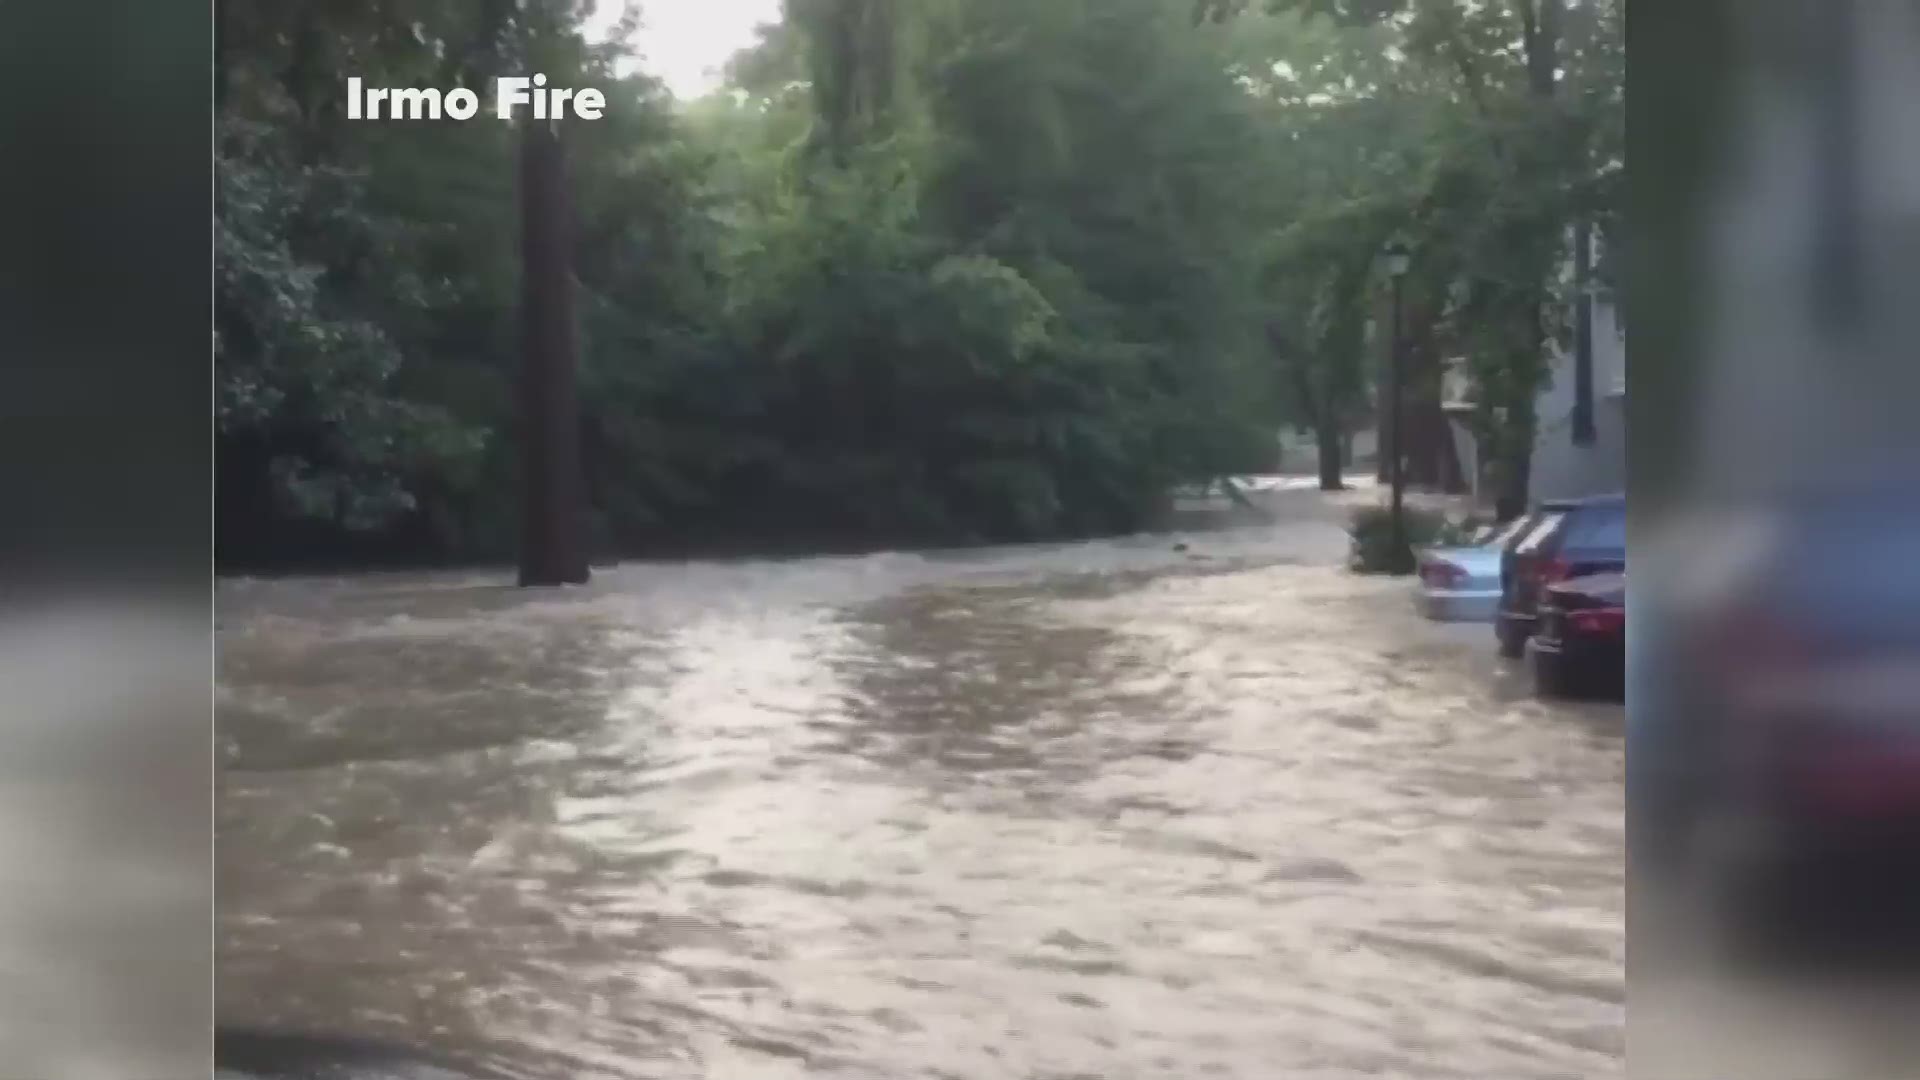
552 526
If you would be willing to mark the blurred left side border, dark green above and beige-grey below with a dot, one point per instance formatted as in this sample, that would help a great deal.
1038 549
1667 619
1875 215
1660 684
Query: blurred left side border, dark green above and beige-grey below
107 662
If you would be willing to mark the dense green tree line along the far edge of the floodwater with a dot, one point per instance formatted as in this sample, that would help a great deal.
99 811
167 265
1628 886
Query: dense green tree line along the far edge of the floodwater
921 272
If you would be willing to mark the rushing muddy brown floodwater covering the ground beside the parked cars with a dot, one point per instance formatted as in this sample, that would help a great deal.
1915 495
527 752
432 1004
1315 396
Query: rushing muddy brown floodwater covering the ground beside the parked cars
1103 810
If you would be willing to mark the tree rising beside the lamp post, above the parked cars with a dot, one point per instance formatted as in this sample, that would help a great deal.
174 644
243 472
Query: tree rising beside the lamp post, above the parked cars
1525 145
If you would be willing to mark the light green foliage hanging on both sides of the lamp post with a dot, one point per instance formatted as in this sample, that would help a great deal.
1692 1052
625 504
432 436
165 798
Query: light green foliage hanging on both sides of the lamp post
1479 134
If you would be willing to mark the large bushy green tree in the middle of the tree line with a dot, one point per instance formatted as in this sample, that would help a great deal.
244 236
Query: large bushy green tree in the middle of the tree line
1105 155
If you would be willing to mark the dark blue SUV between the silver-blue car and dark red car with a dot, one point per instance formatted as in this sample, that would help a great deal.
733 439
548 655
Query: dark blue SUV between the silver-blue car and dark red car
1568 541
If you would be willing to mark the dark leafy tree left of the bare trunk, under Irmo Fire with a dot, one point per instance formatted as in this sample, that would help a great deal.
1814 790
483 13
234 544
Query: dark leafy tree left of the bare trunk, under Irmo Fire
406 232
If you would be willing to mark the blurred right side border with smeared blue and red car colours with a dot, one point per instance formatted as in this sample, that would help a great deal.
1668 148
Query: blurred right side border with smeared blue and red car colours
1773 456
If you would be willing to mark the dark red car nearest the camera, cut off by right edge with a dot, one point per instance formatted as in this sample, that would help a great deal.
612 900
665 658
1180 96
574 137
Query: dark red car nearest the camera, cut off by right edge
1579 643
